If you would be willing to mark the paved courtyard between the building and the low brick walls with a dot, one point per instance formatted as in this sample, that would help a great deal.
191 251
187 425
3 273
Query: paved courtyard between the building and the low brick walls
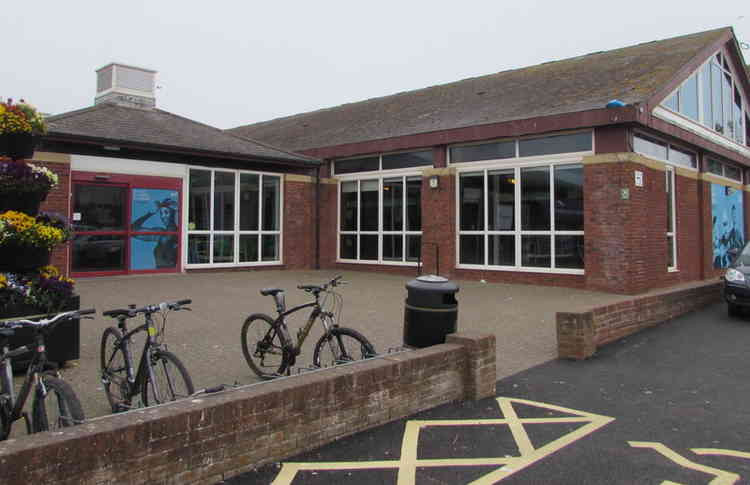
207 339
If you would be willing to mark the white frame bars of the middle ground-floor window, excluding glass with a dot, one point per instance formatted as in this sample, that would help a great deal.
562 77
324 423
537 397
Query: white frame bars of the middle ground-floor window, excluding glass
359 177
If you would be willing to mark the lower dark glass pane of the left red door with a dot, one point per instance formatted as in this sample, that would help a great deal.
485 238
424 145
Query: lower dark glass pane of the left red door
102 252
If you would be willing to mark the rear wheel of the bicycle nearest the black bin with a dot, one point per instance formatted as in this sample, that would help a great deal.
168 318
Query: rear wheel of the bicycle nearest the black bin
263 346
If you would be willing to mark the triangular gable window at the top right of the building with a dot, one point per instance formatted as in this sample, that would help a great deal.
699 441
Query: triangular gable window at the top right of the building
713 97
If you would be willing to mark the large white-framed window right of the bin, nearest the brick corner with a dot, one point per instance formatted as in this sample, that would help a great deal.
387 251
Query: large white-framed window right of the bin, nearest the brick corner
522 217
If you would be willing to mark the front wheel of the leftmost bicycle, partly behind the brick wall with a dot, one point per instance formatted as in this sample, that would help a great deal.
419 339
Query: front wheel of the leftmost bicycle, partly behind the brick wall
58 408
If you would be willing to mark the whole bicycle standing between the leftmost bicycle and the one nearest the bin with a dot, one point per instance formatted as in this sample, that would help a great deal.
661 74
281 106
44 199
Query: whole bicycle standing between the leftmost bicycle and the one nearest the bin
161 376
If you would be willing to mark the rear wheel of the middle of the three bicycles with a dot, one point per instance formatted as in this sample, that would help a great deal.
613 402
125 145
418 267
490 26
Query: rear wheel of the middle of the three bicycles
114 370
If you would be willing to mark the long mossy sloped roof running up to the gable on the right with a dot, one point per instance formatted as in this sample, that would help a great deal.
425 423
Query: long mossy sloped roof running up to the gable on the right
630 74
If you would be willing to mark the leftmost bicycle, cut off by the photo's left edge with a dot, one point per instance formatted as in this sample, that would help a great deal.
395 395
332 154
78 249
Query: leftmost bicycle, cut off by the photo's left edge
55 403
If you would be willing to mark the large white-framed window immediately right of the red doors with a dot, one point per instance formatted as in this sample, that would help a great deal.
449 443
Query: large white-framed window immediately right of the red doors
234 218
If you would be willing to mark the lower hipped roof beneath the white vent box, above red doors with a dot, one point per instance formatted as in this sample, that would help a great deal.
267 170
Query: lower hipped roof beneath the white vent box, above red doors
154 127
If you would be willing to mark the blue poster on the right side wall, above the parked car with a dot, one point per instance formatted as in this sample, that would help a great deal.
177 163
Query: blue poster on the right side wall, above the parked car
728 223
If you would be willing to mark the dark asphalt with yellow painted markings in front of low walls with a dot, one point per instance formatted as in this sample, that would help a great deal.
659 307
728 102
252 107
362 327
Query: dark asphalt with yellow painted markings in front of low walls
666 406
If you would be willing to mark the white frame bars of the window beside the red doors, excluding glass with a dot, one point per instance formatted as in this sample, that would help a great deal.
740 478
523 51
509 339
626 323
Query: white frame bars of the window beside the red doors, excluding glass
236 232
